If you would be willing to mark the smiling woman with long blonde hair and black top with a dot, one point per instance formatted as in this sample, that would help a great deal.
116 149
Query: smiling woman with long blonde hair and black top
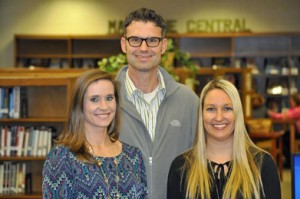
223 162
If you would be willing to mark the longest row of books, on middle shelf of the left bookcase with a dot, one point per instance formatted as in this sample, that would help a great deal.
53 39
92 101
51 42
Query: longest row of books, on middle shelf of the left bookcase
25 141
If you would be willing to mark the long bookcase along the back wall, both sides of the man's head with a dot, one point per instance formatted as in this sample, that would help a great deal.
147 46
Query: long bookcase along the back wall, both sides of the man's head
232 50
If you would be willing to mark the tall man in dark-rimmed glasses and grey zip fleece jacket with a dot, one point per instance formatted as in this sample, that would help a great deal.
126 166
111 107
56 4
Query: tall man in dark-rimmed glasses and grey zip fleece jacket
159 115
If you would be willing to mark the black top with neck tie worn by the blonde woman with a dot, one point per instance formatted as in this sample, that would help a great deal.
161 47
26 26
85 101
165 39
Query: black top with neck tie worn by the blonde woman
177 177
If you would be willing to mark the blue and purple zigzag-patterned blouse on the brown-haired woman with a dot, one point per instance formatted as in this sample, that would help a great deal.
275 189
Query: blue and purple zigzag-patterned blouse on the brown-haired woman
123 176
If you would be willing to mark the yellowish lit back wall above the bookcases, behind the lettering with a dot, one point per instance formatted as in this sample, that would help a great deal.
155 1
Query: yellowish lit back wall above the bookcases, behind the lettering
92 16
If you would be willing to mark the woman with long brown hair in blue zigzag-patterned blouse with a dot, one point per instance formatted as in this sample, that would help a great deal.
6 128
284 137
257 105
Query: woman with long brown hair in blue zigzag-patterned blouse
88 160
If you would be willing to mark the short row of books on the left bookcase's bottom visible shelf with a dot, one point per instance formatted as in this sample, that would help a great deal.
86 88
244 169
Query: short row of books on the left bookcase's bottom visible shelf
12 177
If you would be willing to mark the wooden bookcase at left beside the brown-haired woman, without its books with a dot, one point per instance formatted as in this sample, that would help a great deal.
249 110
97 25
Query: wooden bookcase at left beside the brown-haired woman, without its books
48 93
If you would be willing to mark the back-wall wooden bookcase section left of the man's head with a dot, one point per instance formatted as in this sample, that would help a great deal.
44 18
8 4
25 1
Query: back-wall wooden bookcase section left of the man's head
64 51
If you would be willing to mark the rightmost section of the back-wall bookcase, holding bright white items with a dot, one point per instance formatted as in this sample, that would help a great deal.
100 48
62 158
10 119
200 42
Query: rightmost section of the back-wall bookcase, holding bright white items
276 57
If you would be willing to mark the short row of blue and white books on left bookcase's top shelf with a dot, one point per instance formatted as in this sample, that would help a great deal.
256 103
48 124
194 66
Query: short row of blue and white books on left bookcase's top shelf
13 102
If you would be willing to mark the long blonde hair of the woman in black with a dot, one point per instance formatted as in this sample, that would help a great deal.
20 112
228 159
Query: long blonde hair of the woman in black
245 178
